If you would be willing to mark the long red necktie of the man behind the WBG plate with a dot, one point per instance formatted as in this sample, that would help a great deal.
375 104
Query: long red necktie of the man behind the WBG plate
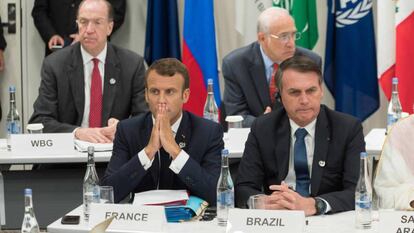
95 108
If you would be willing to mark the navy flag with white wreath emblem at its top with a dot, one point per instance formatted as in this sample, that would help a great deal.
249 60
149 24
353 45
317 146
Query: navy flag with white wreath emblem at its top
350 59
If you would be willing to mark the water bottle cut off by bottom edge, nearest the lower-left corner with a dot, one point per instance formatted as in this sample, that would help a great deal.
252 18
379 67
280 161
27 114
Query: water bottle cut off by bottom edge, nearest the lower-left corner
29 224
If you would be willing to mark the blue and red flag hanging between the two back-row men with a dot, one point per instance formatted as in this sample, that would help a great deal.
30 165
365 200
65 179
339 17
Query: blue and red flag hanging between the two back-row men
199 53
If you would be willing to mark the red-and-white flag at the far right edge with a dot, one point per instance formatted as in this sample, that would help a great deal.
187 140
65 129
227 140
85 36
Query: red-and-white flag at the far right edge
396 49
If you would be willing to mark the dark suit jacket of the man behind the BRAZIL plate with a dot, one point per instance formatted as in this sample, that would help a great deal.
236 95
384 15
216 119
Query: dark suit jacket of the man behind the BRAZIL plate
338 142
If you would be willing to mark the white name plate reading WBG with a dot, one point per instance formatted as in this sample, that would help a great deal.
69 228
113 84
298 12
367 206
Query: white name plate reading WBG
44 144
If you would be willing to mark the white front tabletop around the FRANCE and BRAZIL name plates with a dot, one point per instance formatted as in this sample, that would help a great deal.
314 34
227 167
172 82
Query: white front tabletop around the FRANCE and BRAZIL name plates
338 223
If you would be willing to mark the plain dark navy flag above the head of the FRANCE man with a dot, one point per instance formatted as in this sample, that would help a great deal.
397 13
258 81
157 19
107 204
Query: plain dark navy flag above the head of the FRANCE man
162 37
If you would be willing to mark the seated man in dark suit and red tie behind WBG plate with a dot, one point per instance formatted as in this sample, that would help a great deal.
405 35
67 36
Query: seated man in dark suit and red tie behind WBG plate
87 87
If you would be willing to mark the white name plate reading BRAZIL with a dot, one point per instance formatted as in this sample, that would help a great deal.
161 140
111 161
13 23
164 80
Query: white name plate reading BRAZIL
254 220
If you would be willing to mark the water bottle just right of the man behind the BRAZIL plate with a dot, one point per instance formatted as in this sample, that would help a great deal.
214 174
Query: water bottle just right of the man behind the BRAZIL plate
363 196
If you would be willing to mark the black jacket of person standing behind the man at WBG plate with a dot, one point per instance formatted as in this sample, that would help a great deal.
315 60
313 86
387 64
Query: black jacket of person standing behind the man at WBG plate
58 17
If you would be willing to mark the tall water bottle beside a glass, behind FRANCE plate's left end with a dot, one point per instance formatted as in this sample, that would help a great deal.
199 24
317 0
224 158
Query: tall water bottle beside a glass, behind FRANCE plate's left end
90 185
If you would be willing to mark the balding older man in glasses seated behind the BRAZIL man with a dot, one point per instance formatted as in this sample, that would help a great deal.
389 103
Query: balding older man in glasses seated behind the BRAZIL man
247 71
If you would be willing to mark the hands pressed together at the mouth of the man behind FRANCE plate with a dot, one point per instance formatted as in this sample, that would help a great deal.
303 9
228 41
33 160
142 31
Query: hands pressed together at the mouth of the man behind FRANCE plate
162 135
